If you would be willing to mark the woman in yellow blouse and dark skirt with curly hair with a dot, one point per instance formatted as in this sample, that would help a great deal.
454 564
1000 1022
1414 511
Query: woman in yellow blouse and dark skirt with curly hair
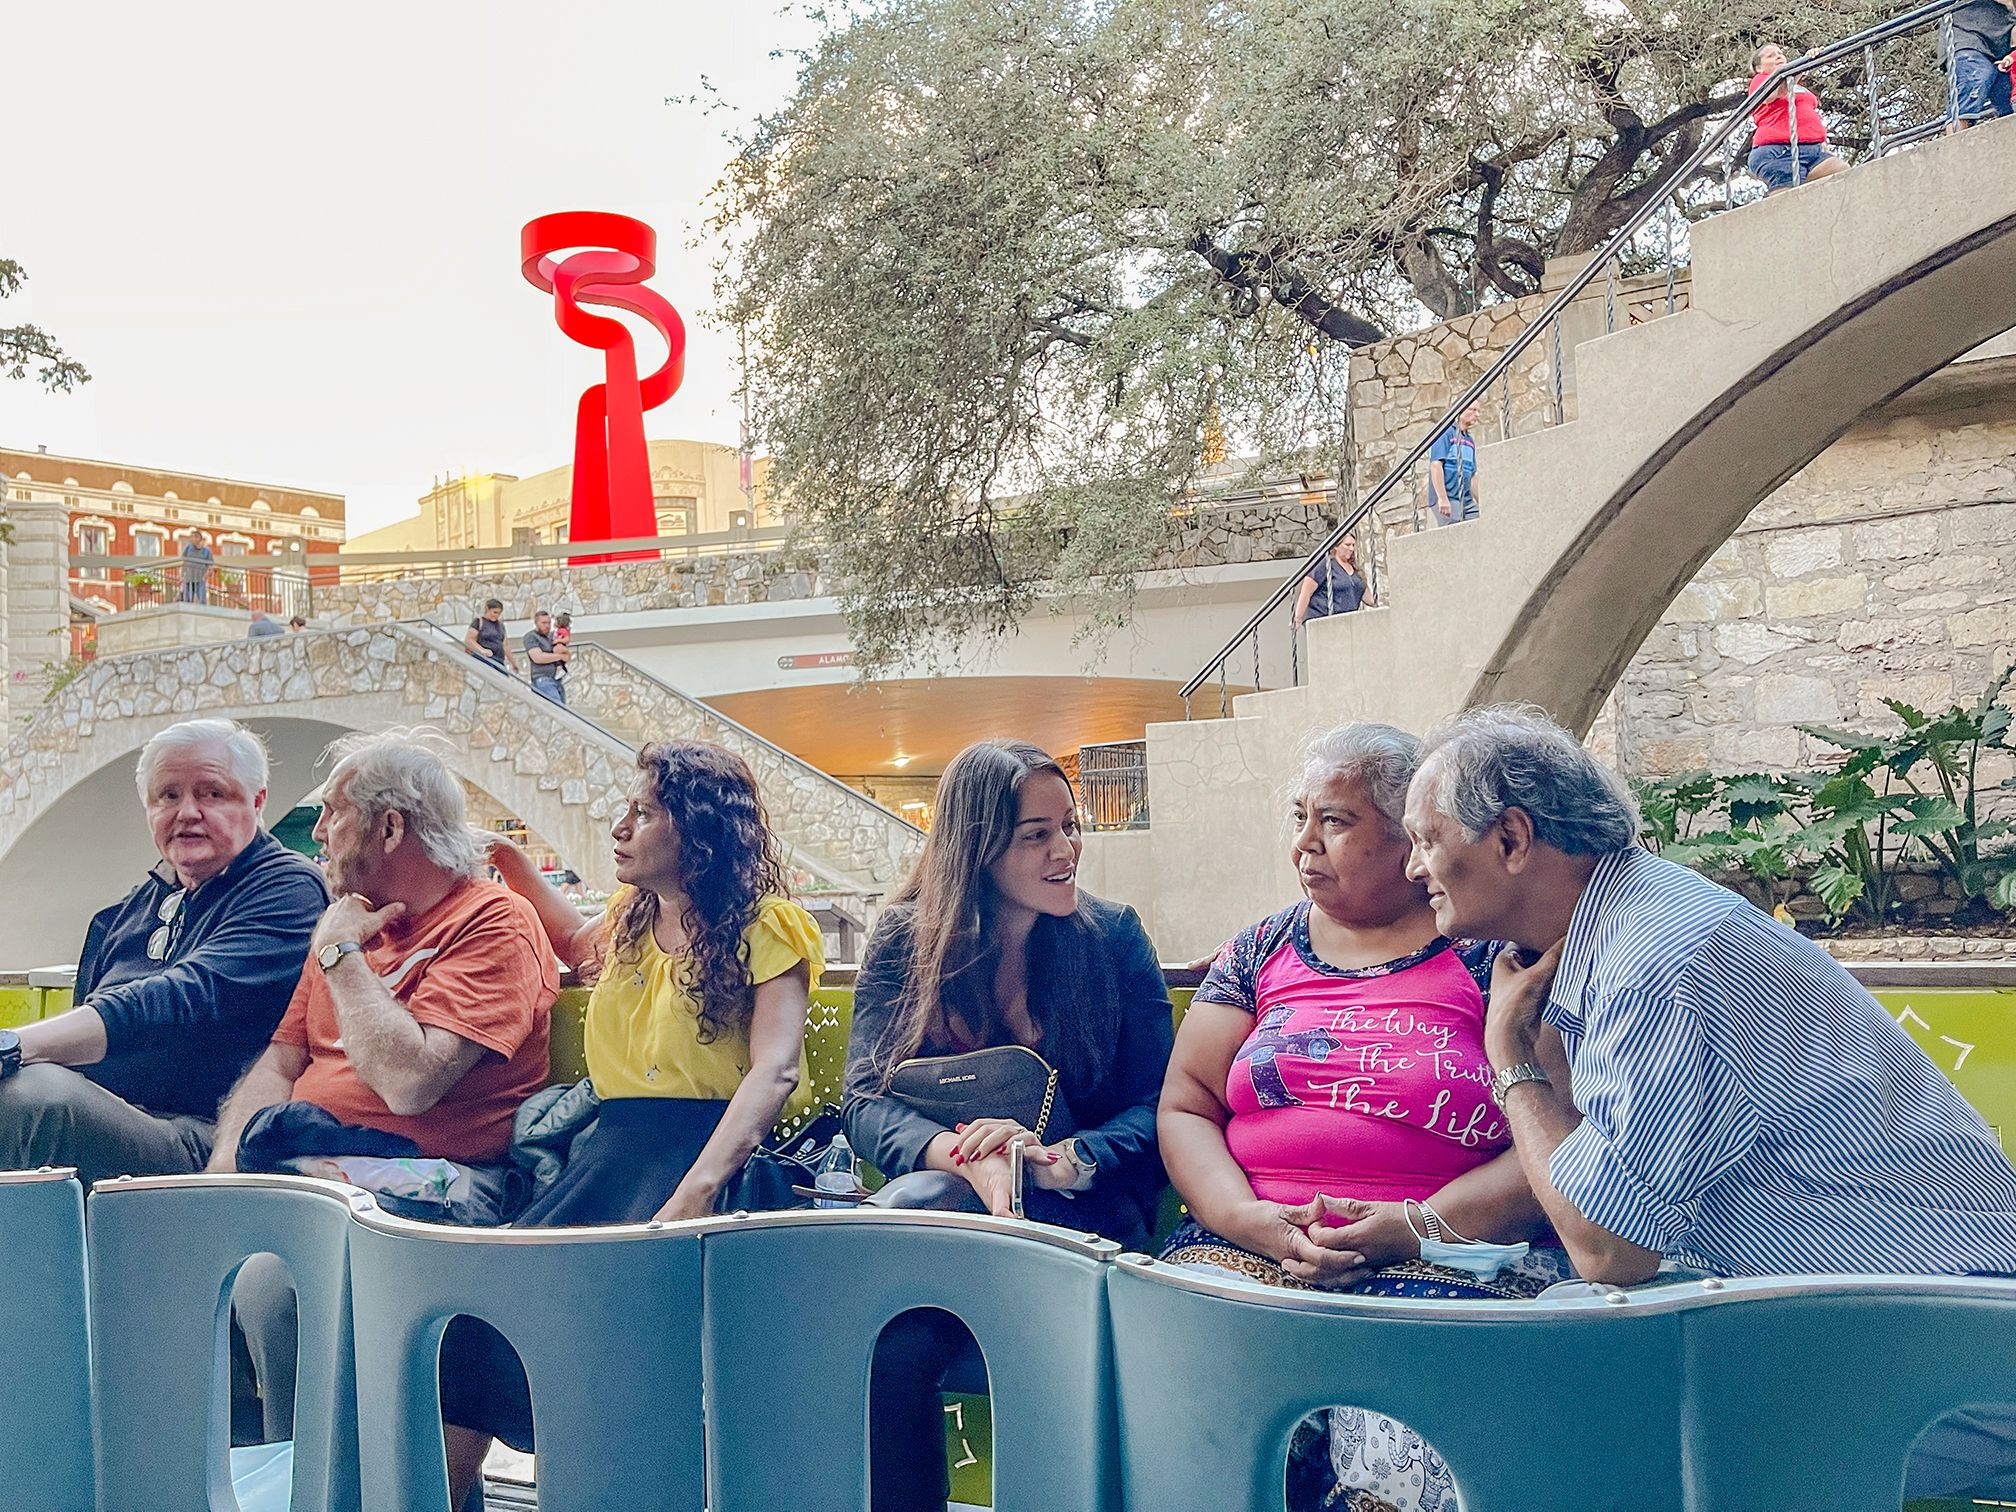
695 1035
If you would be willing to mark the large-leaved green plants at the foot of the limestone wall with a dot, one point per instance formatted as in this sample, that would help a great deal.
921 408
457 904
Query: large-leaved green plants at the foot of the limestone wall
1852 832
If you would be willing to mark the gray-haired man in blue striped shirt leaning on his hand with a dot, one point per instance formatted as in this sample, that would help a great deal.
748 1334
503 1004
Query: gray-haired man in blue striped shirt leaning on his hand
1684 1078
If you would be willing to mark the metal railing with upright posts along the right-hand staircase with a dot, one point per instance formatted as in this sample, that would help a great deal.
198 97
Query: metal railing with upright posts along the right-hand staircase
1610 263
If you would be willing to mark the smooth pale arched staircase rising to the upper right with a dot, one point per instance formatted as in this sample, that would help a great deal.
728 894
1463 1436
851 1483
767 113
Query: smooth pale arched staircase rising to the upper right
1807 311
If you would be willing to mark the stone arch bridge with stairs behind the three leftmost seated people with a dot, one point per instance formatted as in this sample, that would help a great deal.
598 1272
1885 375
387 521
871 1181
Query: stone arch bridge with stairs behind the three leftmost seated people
72 834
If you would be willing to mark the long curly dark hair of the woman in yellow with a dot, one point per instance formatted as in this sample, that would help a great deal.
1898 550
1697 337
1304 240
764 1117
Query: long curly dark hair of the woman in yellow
729 864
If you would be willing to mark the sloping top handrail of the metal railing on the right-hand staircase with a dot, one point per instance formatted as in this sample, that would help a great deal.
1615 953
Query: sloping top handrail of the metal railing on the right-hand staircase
1549 320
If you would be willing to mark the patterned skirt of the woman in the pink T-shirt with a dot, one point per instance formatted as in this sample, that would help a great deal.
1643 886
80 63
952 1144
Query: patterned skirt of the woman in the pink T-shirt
1348 1459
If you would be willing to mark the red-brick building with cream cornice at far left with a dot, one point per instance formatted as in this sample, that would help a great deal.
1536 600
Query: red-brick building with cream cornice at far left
142 513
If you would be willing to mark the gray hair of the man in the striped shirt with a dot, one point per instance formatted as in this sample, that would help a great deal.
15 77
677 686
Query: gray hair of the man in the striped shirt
1515 757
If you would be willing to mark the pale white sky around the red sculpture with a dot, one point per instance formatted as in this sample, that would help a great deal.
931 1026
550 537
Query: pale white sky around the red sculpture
285 241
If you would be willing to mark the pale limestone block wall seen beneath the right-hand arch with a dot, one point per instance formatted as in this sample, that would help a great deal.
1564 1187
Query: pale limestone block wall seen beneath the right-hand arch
1884 570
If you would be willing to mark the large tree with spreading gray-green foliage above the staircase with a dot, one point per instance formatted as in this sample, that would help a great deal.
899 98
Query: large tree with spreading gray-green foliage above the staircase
1005 265
